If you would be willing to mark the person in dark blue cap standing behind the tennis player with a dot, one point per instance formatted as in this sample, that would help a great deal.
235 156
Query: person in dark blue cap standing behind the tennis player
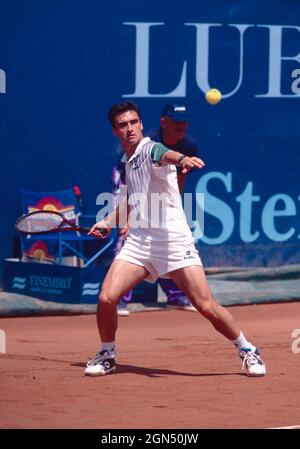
172 133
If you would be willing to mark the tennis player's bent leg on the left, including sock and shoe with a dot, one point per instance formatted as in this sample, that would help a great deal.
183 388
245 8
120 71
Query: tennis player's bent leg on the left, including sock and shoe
121 277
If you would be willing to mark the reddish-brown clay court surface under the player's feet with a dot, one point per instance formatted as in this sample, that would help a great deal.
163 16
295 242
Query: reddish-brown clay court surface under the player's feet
174 371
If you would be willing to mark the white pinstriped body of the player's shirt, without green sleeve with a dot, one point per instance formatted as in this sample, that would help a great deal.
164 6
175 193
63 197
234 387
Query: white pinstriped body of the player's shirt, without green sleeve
156 212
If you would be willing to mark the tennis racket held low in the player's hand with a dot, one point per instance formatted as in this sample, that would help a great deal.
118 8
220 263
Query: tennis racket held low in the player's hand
45 221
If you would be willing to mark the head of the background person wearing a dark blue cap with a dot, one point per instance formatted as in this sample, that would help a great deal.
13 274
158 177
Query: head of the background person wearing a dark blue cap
174 122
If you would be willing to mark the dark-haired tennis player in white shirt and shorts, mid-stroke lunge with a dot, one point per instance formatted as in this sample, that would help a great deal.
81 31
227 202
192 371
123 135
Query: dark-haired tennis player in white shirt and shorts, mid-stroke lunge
154 250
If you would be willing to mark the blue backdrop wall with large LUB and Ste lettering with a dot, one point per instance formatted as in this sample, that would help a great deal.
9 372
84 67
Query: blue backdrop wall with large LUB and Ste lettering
64 62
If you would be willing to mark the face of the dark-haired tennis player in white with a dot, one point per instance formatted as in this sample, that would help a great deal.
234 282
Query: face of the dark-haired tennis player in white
128 128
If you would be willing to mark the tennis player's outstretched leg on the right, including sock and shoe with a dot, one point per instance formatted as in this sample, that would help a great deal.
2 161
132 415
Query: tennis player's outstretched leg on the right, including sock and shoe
192 281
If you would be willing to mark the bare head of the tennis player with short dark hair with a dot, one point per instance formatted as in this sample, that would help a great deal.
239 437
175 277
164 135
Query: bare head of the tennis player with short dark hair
125 119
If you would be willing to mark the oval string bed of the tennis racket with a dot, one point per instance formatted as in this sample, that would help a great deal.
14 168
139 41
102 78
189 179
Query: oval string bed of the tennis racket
40 222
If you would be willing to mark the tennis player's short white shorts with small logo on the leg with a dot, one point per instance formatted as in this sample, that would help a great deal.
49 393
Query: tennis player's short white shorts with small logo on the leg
159 258
